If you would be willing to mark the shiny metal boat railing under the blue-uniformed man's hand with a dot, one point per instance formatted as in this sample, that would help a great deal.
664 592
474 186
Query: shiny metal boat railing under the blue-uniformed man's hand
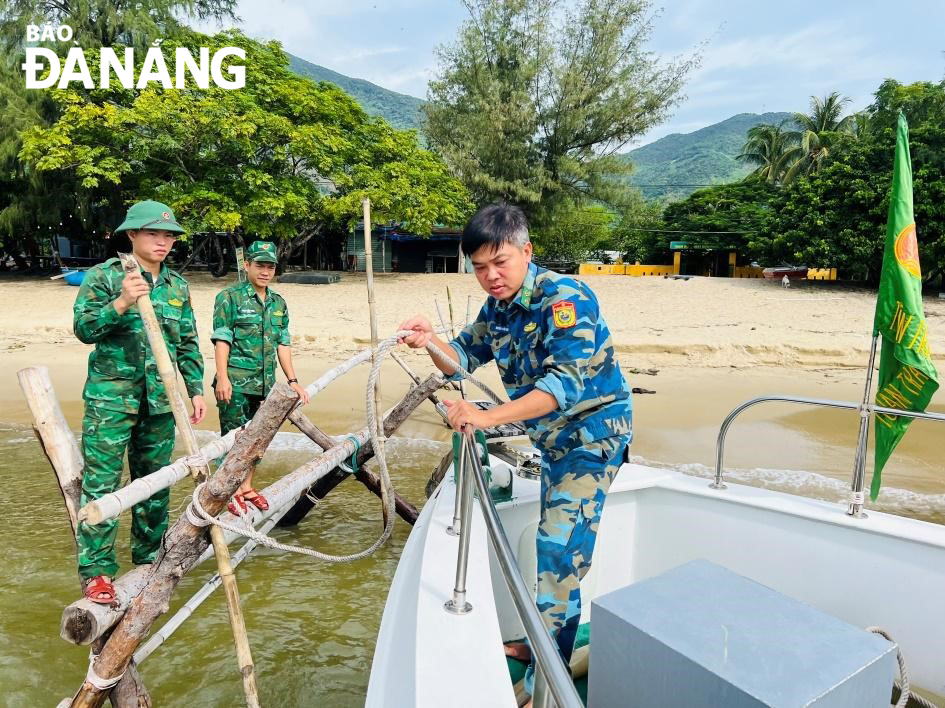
553 684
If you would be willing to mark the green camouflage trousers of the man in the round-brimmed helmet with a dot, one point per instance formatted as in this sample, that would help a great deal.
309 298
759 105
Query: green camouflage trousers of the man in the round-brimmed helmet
149 440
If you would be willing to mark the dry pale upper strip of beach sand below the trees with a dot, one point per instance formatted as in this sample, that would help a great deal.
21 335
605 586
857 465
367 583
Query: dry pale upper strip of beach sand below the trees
656 322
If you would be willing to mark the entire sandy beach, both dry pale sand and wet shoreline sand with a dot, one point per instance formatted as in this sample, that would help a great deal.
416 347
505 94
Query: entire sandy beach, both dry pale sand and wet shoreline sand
703 346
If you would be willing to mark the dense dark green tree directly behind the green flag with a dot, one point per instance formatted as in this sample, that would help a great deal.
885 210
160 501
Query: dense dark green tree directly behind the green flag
837 217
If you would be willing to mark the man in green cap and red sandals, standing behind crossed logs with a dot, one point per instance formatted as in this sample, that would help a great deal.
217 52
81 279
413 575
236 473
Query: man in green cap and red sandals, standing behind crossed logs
250 332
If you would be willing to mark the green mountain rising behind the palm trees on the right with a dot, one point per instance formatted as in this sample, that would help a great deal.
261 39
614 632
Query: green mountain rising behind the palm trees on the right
705 156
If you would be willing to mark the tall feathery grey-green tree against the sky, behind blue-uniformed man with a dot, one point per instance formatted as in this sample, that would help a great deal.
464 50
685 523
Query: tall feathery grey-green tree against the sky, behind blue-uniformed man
535 98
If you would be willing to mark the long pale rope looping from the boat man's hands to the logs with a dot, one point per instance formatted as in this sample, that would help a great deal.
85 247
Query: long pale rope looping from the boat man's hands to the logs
198 516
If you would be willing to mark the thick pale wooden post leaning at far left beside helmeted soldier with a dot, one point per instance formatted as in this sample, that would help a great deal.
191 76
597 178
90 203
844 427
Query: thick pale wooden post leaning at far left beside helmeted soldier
62 451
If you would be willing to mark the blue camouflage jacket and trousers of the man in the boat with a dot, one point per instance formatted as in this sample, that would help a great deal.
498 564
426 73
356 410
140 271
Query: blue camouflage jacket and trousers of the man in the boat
551 337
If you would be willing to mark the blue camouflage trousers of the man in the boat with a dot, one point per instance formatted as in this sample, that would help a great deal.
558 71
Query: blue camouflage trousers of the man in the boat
573 490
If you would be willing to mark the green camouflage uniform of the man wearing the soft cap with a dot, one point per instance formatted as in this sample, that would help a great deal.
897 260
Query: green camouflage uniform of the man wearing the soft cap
254 330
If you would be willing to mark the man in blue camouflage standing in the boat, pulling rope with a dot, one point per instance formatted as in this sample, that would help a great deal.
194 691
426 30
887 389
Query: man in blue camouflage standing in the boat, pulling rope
555 355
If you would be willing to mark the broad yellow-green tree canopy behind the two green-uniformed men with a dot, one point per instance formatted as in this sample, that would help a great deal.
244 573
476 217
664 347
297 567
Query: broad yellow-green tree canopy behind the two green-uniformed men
281 158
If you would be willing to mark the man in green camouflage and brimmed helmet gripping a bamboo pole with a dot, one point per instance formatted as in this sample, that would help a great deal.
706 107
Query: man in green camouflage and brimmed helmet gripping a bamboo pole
125 402
